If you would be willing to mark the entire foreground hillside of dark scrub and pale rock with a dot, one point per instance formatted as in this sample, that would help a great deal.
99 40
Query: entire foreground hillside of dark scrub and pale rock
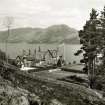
23 88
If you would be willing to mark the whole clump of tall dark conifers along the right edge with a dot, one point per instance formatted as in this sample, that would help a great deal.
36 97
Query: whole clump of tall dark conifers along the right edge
92 38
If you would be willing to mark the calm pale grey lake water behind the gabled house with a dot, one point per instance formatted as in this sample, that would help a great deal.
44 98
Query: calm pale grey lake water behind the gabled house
66 50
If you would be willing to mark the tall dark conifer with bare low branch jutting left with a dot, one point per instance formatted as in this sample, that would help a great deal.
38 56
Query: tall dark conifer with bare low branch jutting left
89 40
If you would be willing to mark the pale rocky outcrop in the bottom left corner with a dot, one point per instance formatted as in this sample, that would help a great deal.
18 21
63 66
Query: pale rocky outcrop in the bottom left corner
10 95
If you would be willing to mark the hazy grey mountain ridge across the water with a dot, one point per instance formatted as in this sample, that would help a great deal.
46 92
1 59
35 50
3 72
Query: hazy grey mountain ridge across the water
53 34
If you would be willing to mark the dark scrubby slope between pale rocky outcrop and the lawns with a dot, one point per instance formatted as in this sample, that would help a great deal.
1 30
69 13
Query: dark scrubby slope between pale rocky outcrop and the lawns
55 91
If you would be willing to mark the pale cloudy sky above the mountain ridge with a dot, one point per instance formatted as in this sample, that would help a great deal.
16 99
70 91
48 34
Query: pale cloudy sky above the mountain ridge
43 13
